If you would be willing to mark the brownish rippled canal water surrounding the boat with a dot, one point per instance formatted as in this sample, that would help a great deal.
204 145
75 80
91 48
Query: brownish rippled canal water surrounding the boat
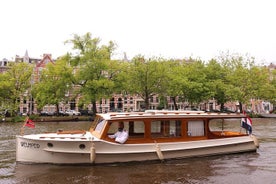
244 168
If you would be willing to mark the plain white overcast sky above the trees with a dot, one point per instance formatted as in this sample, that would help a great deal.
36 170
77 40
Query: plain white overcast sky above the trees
175 29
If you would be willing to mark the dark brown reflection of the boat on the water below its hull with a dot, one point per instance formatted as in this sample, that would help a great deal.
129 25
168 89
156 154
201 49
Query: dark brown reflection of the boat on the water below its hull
171 171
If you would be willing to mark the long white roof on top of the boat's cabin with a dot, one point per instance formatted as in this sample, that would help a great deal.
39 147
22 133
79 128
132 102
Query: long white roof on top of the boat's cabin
167 114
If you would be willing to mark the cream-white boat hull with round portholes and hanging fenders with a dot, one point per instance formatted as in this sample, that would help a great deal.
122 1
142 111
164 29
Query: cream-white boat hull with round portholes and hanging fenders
86 149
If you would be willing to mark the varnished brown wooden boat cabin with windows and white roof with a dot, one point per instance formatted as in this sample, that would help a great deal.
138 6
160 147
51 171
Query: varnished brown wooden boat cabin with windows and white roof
166 126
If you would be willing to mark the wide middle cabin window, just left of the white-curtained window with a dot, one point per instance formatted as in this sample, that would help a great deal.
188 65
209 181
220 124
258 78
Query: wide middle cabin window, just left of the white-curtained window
166 128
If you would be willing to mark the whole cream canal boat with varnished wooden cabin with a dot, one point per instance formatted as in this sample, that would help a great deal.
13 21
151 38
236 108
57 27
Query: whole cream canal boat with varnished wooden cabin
147 136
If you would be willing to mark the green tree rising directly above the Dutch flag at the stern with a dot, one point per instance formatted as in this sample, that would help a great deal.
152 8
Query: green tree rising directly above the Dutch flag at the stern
247 79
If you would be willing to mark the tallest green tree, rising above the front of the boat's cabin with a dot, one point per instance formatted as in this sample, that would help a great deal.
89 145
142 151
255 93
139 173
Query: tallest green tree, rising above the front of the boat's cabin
95 69
